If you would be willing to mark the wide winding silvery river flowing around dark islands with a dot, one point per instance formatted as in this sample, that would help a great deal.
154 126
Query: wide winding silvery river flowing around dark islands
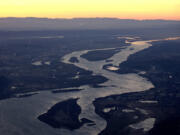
18 116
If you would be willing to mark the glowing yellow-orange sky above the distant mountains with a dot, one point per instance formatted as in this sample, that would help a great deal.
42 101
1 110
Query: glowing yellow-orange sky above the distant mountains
124 9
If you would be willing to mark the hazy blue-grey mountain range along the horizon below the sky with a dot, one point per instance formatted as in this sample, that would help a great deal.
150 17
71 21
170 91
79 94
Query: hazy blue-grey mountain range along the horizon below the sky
31 23
